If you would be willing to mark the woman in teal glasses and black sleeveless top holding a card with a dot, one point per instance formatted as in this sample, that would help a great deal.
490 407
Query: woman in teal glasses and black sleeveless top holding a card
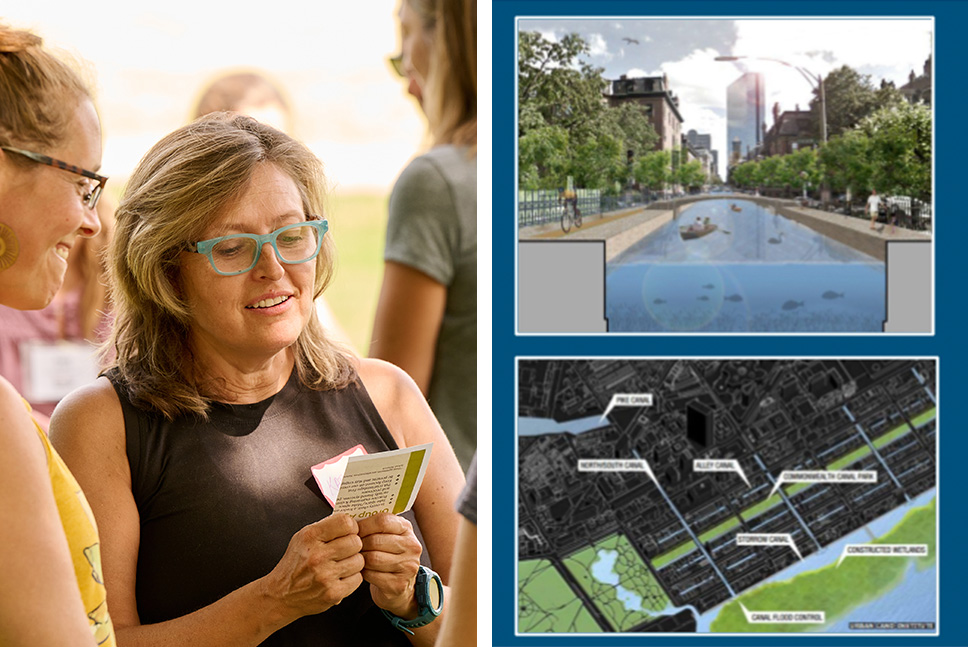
196 446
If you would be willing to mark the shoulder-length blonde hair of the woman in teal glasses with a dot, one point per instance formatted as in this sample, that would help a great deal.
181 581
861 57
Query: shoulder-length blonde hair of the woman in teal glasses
178 189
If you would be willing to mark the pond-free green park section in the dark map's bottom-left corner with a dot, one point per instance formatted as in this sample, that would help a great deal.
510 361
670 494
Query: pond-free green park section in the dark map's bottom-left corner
546 604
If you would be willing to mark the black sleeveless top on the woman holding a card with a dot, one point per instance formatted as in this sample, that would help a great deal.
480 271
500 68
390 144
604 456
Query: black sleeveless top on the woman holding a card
220 500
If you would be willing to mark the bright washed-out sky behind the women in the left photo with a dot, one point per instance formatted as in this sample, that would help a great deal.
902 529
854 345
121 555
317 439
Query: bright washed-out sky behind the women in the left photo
151 60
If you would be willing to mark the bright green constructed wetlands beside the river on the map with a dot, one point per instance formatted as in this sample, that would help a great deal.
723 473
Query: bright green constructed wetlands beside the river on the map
836 589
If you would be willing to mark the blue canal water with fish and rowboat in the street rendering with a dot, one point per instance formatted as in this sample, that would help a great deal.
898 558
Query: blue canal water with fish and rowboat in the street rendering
758 272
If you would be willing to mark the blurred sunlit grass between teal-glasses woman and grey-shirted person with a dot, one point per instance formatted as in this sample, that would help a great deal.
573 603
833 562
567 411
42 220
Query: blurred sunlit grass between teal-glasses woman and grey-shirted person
358 226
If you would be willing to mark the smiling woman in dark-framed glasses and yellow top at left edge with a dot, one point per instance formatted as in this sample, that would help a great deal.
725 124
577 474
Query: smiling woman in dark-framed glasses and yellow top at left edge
47 537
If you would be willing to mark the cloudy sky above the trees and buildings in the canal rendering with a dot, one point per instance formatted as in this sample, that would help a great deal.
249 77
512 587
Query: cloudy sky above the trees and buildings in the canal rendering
685 49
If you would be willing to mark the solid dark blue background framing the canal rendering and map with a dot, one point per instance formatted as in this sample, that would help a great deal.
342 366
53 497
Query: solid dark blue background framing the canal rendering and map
951 233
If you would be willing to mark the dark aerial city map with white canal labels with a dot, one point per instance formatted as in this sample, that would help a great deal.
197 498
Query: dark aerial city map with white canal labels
729 495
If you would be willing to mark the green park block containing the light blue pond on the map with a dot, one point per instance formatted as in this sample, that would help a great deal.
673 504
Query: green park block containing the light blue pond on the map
632 597
